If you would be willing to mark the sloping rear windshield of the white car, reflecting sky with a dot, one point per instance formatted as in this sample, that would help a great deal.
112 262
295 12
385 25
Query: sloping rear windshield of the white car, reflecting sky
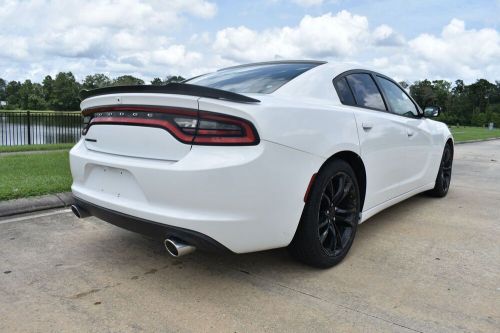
263 78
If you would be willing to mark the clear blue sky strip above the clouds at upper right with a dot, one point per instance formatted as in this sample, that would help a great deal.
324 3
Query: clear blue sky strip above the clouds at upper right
408 17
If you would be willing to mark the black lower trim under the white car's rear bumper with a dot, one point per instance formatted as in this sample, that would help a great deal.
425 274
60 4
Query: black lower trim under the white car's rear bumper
150 228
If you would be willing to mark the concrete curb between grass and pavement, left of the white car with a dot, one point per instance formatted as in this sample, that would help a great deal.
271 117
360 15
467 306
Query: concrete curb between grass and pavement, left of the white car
29 205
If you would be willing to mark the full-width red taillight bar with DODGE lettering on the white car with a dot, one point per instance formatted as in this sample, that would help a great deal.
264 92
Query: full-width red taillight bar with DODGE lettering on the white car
186 125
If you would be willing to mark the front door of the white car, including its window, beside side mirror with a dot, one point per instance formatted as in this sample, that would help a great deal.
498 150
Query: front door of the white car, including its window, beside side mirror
418 141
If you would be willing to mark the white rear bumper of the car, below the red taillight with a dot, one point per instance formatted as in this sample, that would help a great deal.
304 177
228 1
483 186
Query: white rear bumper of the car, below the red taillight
246 198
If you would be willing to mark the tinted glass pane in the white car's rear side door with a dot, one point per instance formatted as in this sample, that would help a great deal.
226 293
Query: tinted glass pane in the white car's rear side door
365 91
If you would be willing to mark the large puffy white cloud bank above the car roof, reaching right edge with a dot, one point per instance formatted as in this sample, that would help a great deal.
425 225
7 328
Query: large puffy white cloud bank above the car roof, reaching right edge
456 53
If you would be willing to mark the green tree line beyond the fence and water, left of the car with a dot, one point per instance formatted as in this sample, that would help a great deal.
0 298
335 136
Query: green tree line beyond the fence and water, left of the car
62 92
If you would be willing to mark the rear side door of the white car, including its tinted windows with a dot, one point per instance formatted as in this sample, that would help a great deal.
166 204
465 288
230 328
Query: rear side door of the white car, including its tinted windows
383 138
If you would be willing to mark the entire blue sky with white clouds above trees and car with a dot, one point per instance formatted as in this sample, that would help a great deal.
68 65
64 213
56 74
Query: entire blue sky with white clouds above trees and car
409 40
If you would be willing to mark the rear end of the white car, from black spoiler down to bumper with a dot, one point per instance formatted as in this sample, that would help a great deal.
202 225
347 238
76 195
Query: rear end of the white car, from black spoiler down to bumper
188 165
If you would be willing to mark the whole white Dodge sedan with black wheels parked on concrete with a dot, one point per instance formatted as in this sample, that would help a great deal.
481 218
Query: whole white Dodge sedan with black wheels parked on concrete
256 157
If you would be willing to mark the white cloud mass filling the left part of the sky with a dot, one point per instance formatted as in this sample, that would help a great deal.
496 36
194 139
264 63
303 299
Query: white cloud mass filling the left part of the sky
97 35
